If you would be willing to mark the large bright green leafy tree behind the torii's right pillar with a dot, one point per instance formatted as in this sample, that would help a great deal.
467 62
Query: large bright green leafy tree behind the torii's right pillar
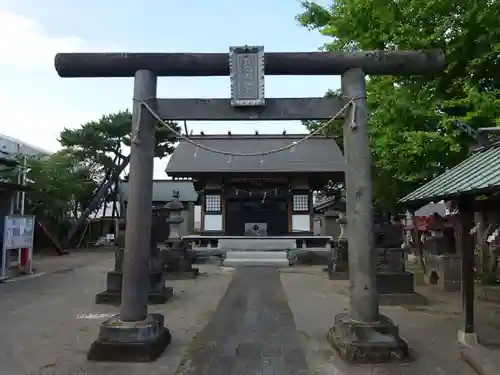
412 119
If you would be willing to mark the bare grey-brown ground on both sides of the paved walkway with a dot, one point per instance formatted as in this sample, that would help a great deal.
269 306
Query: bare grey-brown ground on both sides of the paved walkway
48 322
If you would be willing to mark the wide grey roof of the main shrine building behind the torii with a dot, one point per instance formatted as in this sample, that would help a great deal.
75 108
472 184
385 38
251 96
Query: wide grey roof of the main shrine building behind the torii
316 154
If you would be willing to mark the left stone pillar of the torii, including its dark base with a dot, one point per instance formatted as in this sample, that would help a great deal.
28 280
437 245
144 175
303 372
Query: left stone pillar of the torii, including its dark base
134 335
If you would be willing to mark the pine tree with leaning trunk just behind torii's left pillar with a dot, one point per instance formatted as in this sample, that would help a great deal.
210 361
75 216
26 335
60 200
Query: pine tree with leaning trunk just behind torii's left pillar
102 145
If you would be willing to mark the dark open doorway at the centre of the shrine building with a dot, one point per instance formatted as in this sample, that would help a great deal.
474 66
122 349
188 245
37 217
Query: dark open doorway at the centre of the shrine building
256 210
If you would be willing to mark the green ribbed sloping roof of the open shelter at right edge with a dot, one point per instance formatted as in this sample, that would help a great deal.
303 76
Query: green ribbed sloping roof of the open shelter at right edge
479 174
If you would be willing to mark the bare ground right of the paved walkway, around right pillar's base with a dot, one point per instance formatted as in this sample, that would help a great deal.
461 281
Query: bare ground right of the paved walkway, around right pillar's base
431 331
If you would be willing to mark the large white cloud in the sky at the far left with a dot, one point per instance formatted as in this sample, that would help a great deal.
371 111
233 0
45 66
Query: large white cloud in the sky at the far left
33 104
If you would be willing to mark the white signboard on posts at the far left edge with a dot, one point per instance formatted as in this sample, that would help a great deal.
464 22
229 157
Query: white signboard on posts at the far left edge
19 231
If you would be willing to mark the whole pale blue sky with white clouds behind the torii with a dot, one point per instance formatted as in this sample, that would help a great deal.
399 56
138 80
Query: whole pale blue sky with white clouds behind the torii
36 104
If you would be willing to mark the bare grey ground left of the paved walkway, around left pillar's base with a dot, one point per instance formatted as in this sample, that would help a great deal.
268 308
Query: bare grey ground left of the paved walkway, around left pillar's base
48 322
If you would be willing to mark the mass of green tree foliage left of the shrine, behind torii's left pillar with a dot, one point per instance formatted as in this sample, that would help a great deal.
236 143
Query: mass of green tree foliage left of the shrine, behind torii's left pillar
64 183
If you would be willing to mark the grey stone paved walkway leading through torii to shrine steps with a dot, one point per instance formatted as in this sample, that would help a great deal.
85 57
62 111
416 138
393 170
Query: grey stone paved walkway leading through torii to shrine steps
252 331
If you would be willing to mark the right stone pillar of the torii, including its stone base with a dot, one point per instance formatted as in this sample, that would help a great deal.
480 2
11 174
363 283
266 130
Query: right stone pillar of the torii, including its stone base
363 334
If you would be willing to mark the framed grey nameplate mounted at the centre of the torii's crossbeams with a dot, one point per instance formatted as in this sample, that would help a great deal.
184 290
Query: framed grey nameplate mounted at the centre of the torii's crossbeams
246 71
